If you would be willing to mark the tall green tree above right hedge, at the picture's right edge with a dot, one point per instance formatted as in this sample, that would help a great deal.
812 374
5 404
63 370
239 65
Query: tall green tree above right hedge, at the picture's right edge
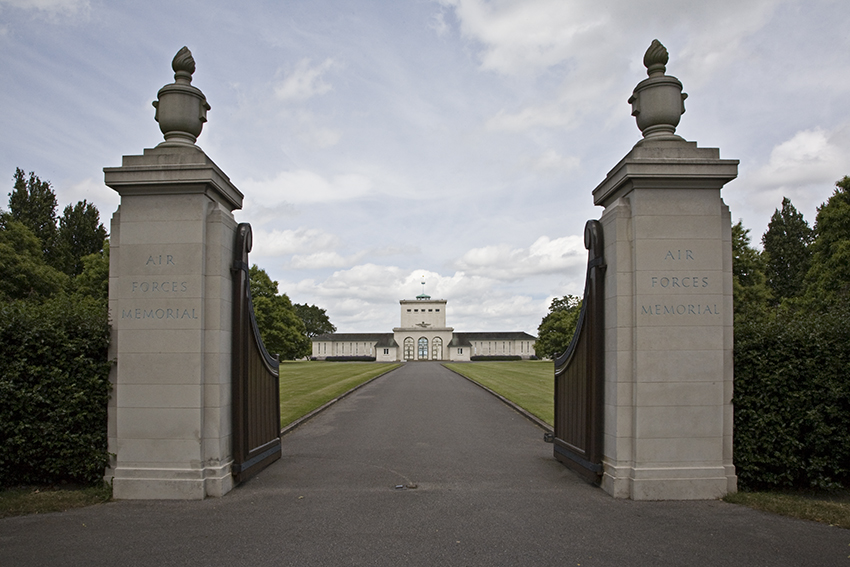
828 279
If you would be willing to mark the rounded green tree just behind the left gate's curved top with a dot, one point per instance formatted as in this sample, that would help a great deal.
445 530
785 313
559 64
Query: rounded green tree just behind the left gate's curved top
281 329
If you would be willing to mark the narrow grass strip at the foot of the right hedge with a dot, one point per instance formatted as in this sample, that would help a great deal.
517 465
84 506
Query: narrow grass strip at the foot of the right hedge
831 508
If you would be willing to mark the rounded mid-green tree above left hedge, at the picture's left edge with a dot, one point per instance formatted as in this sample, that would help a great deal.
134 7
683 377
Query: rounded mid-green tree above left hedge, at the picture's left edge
23 272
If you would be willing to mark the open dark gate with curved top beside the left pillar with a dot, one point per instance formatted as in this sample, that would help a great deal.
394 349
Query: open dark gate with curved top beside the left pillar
255 378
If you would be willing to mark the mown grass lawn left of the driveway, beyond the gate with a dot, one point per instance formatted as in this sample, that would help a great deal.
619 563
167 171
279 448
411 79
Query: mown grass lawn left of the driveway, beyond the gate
307 385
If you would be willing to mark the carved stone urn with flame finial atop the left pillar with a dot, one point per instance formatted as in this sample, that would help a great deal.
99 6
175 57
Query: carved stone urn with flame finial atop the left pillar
181 109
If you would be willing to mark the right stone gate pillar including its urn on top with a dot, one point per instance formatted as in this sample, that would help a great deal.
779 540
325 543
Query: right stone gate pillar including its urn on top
668 307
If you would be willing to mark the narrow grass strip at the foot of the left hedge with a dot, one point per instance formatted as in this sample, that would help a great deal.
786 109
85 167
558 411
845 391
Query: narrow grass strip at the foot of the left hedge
41 500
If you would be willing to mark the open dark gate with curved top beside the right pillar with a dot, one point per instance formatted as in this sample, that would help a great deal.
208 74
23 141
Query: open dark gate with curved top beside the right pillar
579 373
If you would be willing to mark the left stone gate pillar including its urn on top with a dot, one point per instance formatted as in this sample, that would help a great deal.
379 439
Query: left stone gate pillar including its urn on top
170 306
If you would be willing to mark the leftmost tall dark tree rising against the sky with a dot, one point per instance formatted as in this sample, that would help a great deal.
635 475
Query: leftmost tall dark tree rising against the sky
33 203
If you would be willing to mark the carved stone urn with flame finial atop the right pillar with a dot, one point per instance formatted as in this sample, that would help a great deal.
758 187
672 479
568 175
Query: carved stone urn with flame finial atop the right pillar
658 101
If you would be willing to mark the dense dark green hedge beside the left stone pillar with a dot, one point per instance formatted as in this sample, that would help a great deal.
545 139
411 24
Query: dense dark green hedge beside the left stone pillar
54 389
